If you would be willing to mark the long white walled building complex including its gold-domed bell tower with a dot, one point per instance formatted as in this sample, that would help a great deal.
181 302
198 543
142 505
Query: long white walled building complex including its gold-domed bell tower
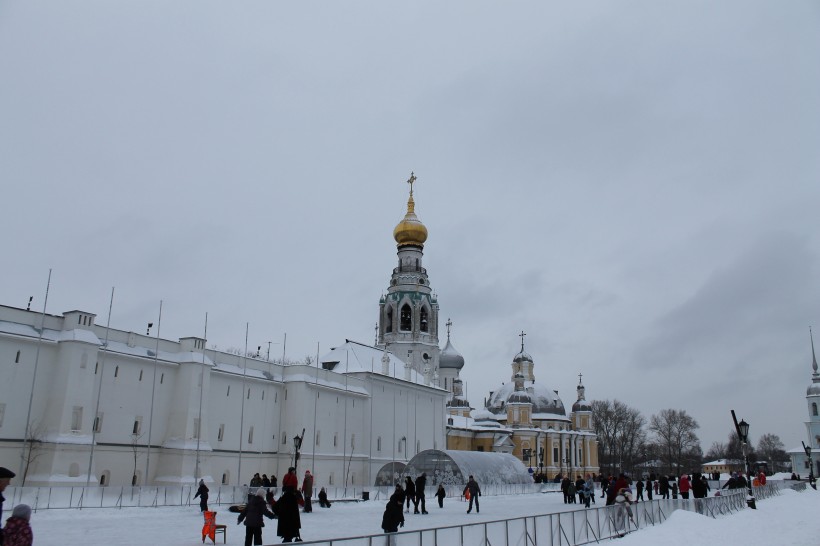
110 406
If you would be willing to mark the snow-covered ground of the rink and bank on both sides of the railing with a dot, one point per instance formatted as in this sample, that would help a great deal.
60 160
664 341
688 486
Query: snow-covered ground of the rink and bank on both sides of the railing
788 519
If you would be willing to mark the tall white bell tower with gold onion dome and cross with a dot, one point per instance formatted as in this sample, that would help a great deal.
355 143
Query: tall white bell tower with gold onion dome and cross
408 313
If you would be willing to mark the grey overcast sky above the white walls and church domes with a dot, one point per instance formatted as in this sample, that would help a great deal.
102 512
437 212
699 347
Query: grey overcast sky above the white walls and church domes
634 184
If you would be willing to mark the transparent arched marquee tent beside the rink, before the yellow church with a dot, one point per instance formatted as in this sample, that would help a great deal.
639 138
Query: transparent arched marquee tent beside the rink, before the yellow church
453 467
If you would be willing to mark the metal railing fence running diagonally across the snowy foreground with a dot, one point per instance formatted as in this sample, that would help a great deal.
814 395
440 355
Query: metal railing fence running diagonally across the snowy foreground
571 528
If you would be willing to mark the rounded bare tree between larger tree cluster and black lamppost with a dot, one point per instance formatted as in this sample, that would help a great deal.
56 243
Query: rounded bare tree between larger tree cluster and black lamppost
674 432
